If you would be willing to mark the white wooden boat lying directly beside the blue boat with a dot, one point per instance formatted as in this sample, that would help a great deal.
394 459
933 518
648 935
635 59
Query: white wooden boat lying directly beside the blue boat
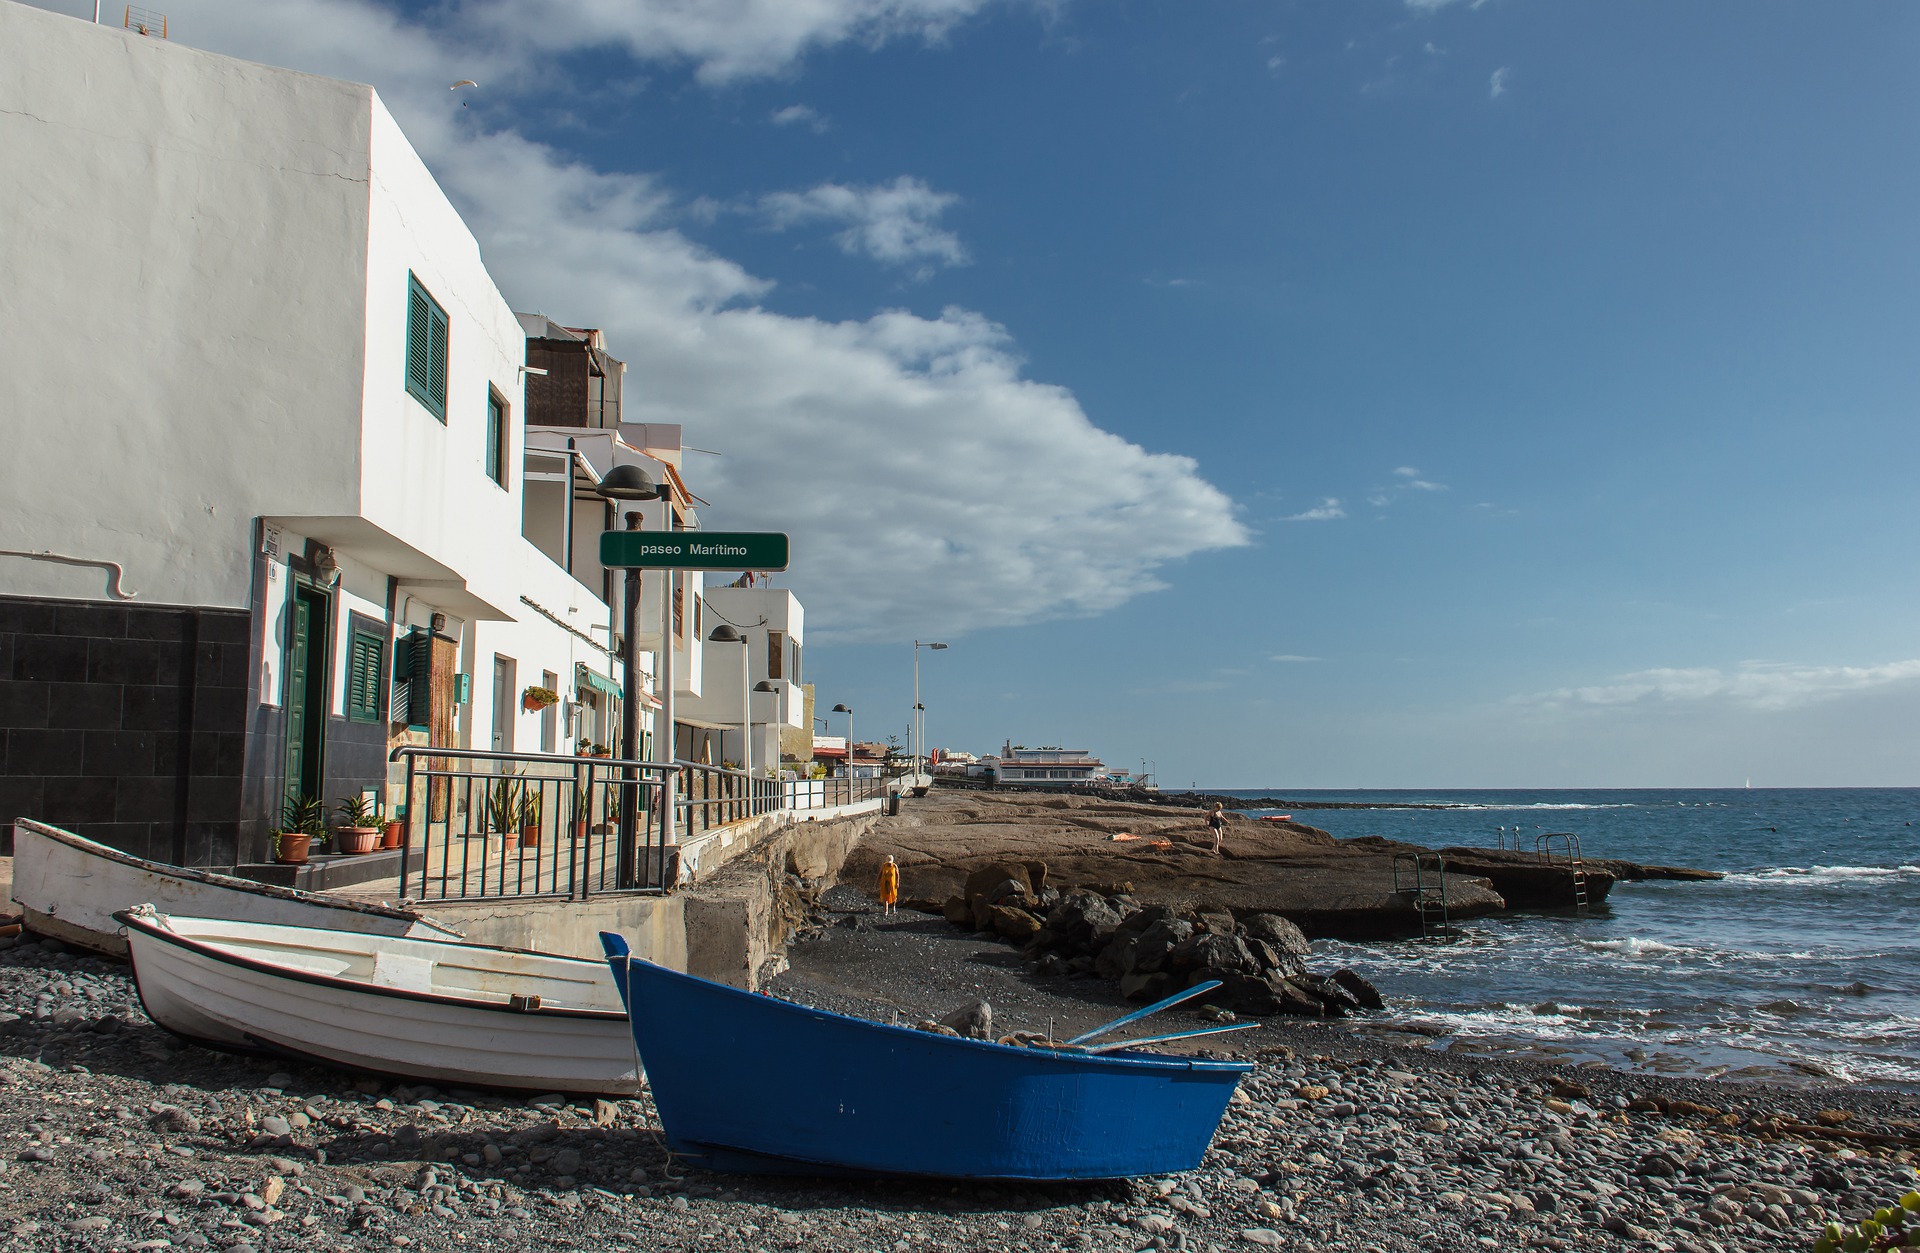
425 1010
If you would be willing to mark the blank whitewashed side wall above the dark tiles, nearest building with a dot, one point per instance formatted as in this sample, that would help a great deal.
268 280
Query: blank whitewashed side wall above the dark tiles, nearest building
183 247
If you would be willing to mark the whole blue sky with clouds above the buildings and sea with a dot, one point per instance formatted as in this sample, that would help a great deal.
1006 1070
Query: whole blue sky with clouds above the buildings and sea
1347 394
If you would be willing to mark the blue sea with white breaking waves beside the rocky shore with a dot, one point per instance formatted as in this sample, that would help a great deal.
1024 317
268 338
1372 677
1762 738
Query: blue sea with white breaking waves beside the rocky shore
1800 966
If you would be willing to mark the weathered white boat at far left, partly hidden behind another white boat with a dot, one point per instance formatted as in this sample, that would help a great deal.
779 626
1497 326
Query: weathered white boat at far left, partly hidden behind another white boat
72 887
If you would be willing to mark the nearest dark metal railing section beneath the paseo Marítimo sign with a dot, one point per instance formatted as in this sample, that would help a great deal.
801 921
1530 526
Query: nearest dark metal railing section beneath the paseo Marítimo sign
512 824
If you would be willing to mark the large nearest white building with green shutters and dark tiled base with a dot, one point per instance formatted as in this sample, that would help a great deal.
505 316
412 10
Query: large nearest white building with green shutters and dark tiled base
264 415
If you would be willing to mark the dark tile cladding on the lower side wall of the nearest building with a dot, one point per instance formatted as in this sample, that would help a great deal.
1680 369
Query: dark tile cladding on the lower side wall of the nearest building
128 724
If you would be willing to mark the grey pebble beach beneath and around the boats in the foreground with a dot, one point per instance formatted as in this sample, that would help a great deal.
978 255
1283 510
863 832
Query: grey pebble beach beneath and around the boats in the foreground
1347 1137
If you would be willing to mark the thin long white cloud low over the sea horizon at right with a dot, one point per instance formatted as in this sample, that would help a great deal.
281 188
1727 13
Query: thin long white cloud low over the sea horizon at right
1760 686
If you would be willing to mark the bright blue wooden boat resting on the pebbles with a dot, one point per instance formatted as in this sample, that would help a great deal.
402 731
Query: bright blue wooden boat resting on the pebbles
763 1087
